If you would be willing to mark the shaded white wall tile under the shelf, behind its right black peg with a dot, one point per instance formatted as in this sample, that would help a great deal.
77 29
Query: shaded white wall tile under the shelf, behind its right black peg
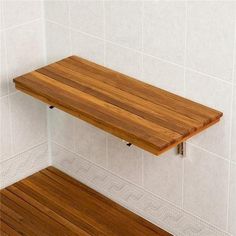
124 161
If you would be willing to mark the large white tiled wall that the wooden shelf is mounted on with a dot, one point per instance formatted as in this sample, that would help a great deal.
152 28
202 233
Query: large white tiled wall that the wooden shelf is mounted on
187 47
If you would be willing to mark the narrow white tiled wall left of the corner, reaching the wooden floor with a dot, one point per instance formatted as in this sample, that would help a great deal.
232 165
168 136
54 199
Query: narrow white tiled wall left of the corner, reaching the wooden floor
23 119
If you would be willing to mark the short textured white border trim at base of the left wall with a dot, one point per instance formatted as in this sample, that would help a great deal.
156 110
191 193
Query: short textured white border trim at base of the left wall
23 165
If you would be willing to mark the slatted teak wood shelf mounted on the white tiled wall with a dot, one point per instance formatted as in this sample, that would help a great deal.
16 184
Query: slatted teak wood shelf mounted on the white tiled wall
149 117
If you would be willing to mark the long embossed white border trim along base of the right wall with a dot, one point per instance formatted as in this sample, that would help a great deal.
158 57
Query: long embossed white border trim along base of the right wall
151 207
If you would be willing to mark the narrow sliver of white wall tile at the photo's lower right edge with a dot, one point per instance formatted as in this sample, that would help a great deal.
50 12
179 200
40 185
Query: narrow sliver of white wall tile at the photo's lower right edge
232 200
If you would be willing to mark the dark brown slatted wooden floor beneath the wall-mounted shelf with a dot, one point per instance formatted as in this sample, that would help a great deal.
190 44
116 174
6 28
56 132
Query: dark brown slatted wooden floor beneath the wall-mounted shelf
52 203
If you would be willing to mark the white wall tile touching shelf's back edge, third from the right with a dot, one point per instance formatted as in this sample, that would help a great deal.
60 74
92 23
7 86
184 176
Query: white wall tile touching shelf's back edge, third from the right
123 60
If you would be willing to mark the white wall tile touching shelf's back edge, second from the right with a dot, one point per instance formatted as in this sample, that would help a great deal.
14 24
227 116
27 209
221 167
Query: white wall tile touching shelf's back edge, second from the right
163 75
